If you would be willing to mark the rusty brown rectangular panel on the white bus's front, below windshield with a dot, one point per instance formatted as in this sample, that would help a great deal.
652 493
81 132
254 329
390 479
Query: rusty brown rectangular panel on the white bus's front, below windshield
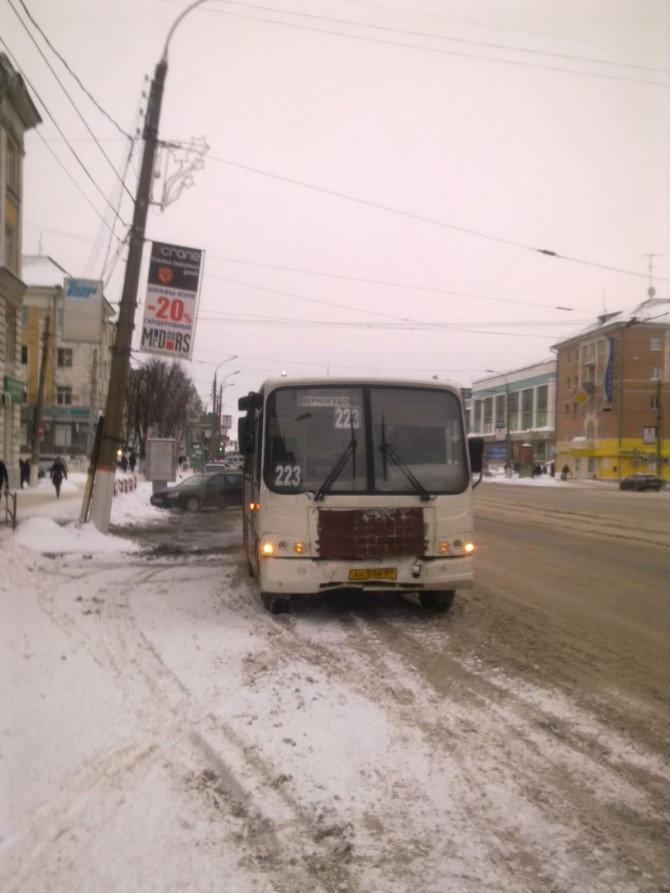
370 533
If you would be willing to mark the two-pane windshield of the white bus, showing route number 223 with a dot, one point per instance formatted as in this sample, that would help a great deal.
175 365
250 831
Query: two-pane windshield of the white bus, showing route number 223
393 439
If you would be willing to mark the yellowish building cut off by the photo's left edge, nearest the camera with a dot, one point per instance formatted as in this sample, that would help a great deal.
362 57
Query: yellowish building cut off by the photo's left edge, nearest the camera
17 115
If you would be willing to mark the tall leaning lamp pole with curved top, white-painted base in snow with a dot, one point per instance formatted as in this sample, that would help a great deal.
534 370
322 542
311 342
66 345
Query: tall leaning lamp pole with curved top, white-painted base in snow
110 441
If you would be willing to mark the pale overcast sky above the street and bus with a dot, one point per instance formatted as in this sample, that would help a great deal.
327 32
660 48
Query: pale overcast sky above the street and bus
380 175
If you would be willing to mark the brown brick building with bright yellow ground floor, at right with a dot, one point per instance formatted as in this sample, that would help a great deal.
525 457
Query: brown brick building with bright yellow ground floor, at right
613 394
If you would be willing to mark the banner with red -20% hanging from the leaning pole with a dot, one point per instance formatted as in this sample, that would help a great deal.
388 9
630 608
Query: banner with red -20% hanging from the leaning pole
171 305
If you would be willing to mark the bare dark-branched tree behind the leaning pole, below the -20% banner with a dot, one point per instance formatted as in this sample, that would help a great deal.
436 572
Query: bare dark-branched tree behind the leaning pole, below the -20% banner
161 401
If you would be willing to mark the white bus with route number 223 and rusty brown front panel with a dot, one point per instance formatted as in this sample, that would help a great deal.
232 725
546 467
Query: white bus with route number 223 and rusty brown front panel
358 483
